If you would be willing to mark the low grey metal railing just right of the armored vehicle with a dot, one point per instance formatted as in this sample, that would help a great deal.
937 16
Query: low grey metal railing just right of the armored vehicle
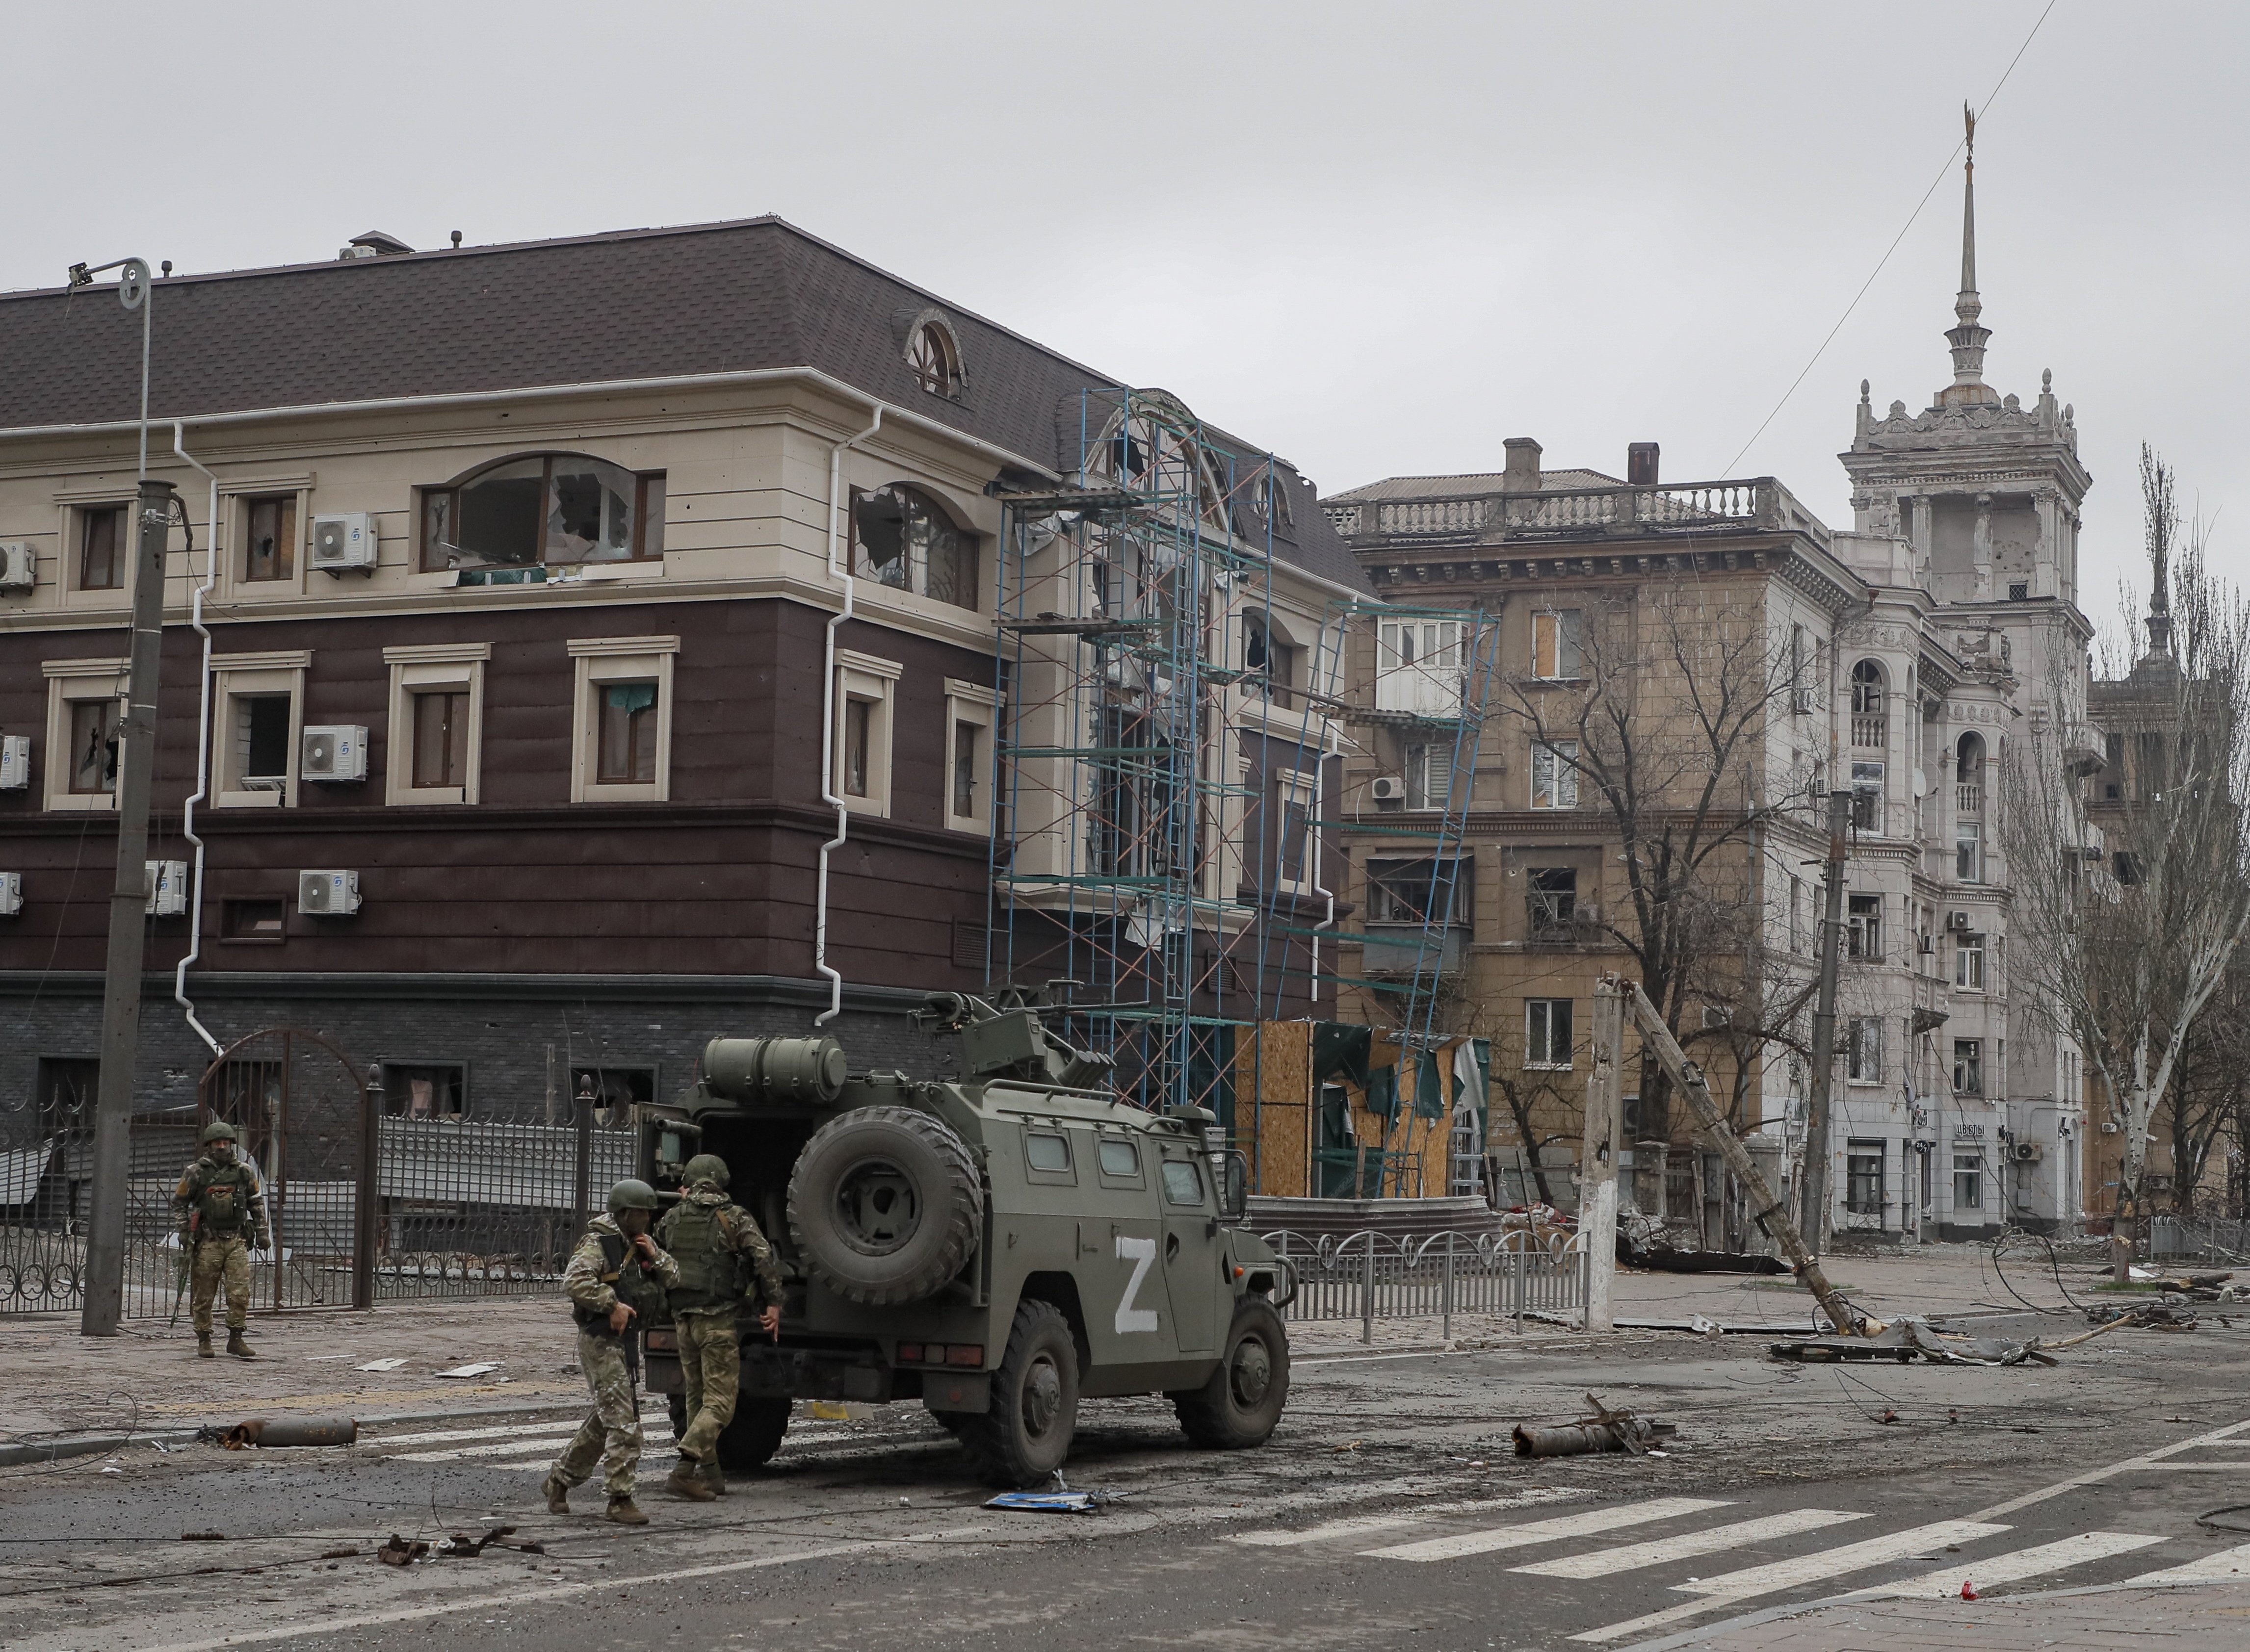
1371 1277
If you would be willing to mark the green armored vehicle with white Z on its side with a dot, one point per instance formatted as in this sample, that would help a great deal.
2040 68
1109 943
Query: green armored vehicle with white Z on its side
996 1248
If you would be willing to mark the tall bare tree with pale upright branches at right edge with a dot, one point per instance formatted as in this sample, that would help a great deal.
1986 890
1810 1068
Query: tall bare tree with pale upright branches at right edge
2130 955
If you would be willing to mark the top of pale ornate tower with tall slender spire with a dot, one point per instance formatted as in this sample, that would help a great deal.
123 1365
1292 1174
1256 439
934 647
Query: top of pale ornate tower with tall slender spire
1981 487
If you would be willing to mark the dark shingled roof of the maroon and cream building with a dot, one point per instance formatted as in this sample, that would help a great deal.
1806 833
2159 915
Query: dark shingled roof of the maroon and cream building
624 305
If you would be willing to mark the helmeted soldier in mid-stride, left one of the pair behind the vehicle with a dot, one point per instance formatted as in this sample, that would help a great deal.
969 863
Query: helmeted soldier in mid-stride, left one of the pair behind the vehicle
615 1277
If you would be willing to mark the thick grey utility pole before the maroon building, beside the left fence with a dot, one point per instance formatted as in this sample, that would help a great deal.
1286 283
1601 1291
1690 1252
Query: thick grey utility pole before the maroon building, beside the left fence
129 924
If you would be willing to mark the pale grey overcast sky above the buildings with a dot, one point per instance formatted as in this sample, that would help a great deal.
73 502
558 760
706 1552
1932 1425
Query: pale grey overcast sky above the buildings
1374 237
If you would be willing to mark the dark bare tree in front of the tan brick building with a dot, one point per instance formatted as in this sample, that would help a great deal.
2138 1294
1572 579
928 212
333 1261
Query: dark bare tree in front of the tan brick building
1664 730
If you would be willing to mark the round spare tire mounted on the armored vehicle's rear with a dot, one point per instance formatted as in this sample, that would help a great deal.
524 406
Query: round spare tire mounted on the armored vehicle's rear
885 1205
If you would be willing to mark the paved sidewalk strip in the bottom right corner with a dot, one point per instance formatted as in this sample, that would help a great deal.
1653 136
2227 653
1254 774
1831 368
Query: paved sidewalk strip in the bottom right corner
2073 1619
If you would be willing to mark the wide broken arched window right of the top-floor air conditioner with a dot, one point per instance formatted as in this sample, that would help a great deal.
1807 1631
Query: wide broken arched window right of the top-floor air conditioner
543 510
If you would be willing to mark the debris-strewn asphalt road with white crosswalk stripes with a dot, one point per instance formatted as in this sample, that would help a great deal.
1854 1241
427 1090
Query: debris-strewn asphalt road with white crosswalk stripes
1387 1514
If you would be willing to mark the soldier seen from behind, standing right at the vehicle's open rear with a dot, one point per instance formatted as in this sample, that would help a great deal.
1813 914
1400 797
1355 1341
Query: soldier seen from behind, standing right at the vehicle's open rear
714 1239
